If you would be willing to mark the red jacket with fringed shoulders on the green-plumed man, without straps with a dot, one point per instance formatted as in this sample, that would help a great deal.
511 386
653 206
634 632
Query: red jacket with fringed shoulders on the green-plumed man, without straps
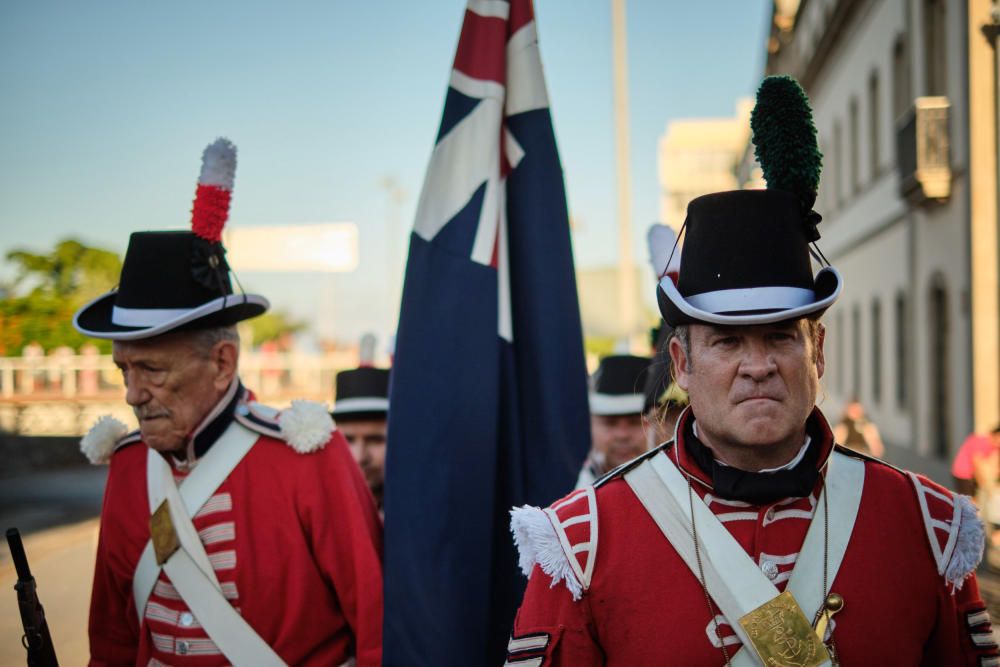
630 600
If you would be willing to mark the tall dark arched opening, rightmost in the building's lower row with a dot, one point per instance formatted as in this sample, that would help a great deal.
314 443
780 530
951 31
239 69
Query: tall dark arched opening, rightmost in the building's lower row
940 407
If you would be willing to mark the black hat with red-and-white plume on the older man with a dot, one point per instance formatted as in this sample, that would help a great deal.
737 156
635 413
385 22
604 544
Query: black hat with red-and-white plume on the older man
177 280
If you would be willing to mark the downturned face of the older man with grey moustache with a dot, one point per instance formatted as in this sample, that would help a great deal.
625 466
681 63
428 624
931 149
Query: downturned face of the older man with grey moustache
171 386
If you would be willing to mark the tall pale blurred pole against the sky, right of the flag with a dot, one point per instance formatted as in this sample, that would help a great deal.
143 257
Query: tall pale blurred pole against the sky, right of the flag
626 265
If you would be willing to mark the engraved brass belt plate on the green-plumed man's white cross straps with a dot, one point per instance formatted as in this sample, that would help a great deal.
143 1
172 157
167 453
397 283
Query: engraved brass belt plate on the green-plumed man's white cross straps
782 636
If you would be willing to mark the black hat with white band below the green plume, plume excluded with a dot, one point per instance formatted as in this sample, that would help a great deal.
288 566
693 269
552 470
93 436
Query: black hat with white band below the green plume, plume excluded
746 261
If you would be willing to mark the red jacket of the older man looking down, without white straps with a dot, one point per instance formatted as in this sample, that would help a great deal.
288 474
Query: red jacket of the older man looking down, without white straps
295 541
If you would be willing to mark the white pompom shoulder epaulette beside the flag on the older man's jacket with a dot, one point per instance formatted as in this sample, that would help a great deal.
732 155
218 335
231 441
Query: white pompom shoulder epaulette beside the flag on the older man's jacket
306 425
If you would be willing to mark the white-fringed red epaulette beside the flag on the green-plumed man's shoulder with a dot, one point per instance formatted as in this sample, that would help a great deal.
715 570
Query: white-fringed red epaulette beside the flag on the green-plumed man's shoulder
561 539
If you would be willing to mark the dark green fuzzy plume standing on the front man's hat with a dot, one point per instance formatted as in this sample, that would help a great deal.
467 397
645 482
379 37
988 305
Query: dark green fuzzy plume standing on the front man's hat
785 138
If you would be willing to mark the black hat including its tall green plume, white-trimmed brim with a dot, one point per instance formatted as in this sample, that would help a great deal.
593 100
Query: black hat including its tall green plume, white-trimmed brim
746 253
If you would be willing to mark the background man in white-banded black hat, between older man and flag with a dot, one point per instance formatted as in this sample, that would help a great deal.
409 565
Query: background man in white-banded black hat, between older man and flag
360 410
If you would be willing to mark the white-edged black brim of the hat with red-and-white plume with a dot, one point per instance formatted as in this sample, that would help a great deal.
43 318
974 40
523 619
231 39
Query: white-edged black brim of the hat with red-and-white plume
95 318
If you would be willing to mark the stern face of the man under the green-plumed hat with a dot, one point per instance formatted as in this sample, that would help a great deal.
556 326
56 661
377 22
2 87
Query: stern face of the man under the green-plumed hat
751 386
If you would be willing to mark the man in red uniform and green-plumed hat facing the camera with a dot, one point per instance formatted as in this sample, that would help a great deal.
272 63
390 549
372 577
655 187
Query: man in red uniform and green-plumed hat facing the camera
752 538
